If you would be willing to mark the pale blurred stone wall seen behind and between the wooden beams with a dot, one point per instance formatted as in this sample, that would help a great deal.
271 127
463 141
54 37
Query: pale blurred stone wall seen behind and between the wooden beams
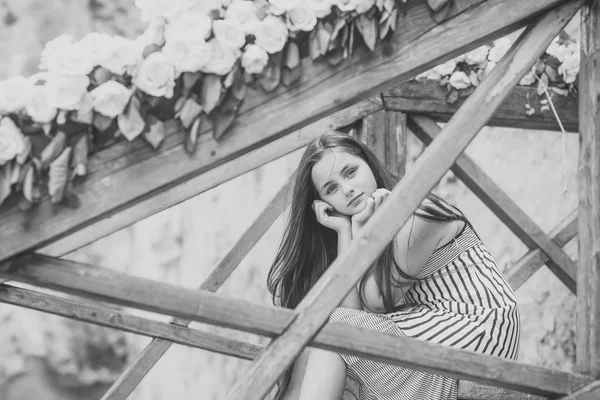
48 358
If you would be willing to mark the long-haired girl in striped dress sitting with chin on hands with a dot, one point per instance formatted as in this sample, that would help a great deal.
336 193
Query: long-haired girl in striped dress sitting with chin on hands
435 281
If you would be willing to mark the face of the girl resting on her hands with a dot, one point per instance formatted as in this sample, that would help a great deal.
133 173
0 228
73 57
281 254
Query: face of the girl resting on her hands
343 180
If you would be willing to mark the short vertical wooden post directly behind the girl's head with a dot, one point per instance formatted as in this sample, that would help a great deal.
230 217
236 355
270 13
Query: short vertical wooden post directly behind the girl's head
385 133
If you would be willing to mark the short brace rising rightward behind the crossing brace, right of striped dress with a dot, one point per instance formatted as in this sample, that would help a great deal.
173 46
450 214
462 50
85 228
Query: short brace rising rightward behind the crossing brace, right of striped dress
518 273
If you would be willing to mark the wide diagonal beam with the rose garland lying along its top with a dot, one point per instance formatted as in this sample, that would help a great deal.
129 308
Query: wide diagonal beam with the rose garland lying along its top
121 178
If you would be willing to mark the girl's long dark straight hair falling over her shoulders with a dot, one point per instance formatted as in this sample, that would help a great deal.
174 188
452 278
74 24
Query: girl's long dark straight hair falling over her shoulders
308 248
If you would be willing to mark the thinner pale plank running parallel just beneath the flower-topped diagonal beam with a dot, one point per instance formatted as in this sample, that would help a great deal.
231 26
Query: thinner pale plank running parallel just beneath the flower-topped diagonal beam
210 179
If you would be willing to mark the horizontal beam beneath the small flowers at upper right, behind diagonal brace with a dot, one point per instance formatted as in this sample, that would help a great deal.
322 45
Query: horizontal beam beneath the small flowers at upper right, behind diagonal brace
427 97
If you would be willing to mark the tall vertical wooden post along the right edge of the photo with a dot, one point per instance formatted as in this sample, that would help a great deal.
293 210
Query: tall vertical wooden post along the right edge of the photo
588 282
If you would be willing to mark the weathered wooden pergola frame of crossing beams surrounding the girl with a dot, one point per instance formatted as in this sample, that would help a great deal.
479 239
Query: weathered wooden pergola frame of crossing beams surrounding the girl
127 183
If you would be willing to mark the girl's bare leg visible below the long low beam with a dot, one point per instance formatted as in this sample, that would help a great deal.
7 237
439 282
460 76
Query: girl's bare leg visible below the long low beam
324 377
